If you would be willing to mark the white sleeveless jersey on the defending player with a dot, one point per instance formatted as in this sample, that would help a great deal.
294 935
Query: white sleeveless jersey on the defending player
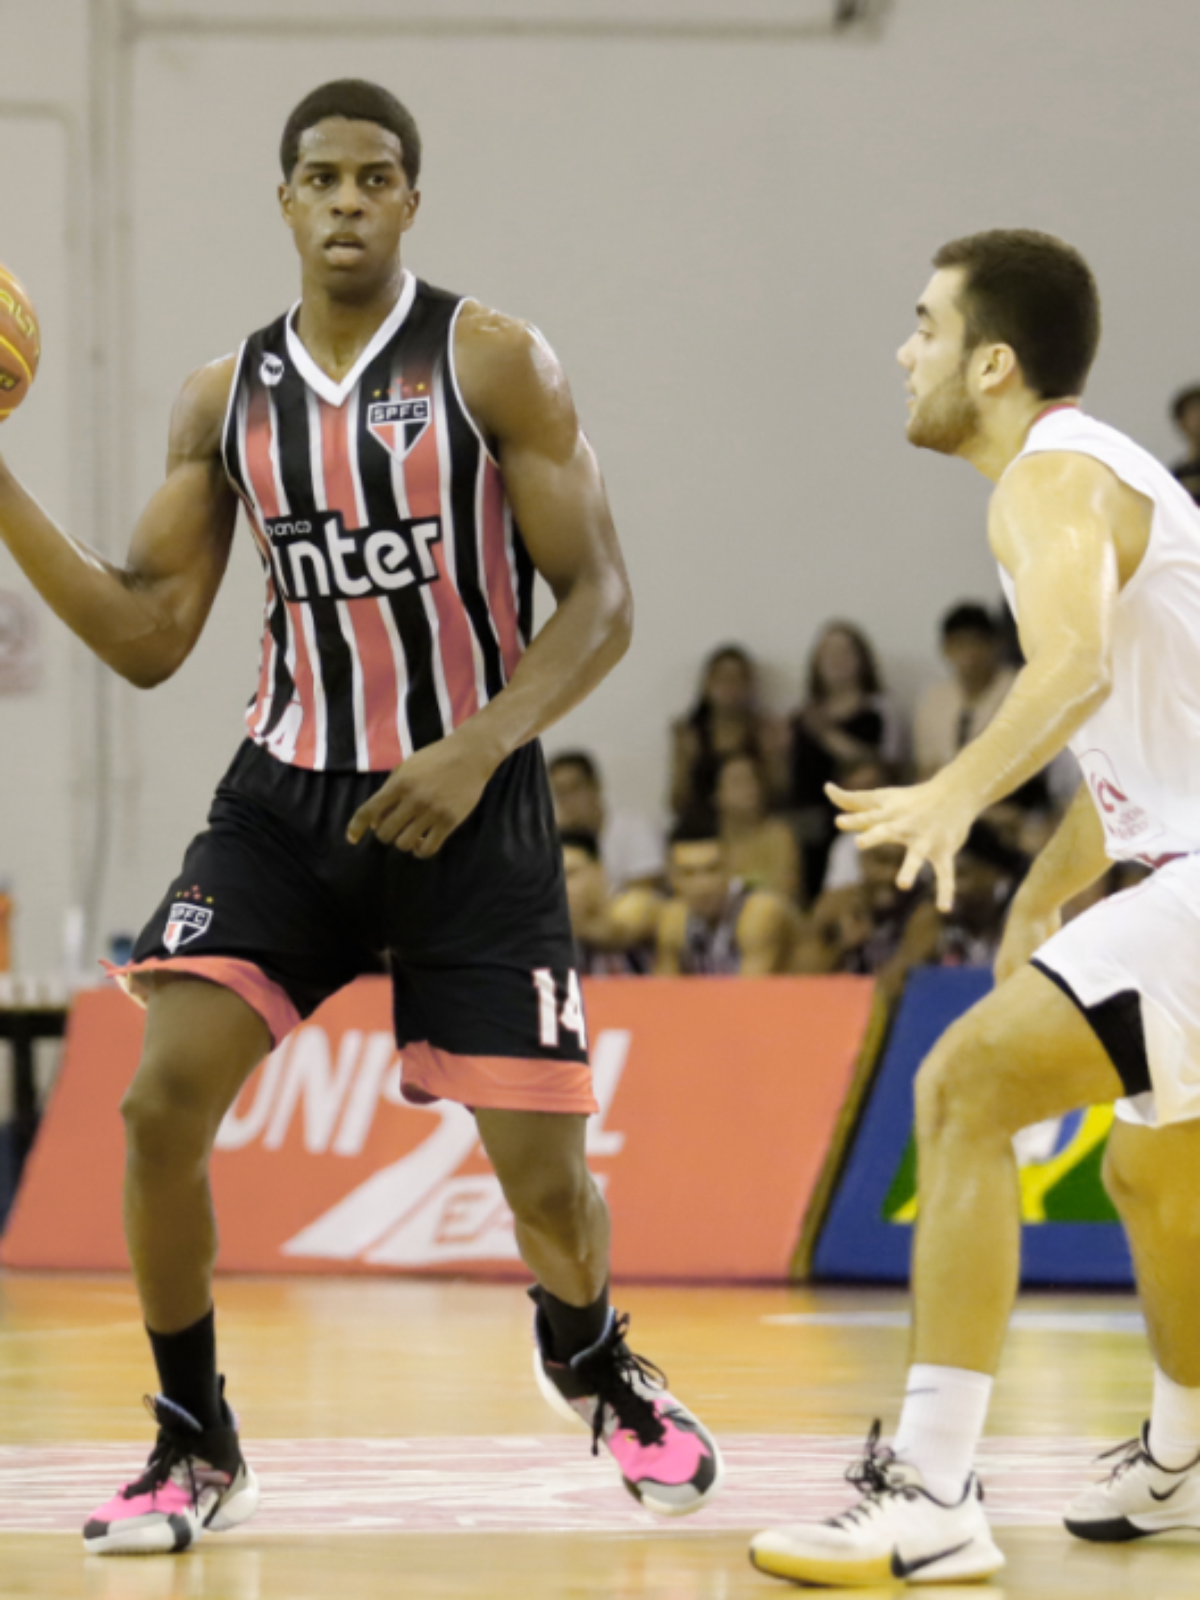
1142 751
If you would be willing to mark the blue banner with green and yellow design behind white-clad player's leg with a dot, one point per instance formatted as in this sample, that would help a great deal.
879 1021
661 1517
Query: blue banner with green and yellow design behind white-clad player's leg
1071 1234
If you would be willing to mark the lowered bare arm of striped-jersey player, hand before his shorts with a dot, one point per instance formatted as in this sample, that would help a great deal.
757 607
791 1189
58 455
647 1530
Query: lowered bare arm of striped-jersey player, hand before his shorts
518 394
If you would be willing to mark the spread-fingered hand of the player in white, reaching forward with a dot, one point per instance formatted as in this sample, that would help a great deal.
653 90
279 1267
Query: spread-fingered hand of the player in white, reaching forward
926 818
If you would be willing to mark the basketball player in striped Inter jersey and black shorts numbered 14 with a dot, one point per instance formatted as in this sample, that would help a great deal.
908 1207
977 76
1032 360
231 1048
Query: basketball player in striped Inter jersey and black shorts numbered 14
407 460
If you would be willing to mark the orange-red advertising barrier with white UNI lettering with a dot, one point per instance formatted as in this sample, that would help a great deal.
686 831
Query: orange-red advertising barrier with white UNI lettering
719 1098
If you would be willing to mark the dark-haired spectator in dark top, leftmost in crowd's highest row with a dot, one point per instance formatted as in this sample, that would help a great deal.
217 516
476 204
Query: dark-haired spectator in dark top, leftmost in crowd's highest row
726 721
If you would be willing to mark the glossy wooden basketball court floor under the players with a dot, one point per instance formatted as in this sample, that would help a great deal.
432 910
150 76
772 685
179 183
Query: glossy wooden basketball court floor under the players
404 1450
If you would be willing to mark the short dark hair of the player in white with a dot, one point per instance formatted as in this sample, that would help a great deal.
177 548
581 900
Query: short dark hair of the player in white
1034 294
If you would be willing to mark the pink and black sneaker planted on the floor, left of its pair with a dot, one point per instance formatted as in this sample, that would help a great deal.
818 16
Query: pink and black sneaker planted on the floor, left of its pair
196 1479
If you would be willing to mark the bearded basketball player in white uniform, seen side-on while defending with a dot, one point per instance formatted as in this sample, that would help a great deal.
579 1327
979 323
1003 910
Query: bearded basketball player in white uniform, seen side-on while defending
1100 558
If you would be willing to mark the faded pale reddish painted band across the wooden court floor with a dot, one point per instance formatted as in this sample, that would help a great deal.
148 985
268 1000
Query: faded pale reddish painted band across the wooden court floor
516 1484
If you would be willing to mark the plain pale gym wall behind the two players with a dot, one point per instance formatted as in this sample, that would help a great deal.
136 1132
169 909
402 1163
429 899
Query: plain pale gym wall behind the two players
724 238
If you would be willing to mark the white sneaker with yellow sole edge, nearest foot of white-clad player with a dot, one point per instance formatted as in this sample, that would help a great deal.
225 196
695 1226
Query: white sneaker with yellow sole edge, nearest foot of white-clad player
898 1532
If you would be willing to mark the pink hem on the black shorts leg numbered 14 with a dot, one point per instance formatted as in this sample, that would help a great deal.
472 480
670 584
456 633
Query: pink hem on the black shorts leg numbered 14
497 1082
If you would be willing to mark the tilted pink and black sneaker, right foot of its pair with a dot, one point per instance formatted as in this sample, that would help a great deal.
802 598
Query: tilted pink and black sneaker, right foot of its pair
668 1458
